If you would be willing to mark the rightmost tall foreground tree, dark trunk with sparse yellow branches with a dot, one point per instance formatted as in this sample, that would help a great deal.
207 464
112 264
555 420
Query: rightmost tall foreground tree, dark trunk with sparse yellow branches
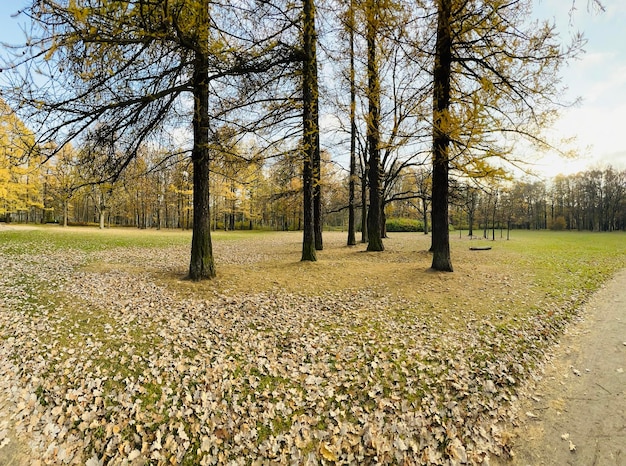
495 76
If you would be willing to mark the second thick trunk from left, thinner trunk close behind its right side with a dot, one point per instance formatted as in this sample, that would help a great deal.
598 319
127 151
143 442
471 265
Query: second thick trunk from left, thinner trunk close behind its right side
310 129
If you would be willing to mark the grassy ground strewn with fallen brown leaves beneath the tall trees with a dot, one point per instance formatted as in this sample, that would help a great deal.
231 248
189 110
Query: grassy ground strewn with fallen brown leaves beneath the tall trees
107 359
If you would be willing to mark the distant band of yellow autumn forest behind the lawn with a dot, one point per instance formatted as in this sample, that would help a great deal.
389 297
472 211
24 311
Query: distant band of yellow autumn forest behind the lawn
268 195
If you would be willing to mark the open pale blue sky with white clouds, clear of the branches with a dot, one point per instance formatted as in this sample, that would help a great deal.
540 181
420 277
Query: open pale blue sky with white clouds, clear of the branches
597 78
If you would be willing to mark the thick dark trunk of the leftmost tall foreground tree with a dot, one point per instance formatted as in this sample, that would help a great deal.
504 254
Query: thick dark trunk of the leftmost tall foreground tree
202 264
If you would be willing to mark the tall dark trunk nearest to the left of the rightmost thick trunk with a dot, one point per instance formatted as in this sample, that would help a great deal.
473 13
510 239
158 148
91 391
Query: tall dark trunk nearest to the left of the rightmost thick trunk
373 132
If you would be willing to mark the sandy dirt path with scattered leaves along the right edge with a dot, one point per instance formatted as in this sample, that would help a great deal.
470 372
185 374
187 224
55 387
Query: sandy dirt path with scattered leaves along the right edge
578 414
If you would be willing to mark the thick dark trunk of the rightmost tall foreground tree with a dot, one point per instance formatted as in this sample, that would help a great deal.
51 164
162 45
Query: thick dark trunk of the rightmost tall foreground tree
441 139
